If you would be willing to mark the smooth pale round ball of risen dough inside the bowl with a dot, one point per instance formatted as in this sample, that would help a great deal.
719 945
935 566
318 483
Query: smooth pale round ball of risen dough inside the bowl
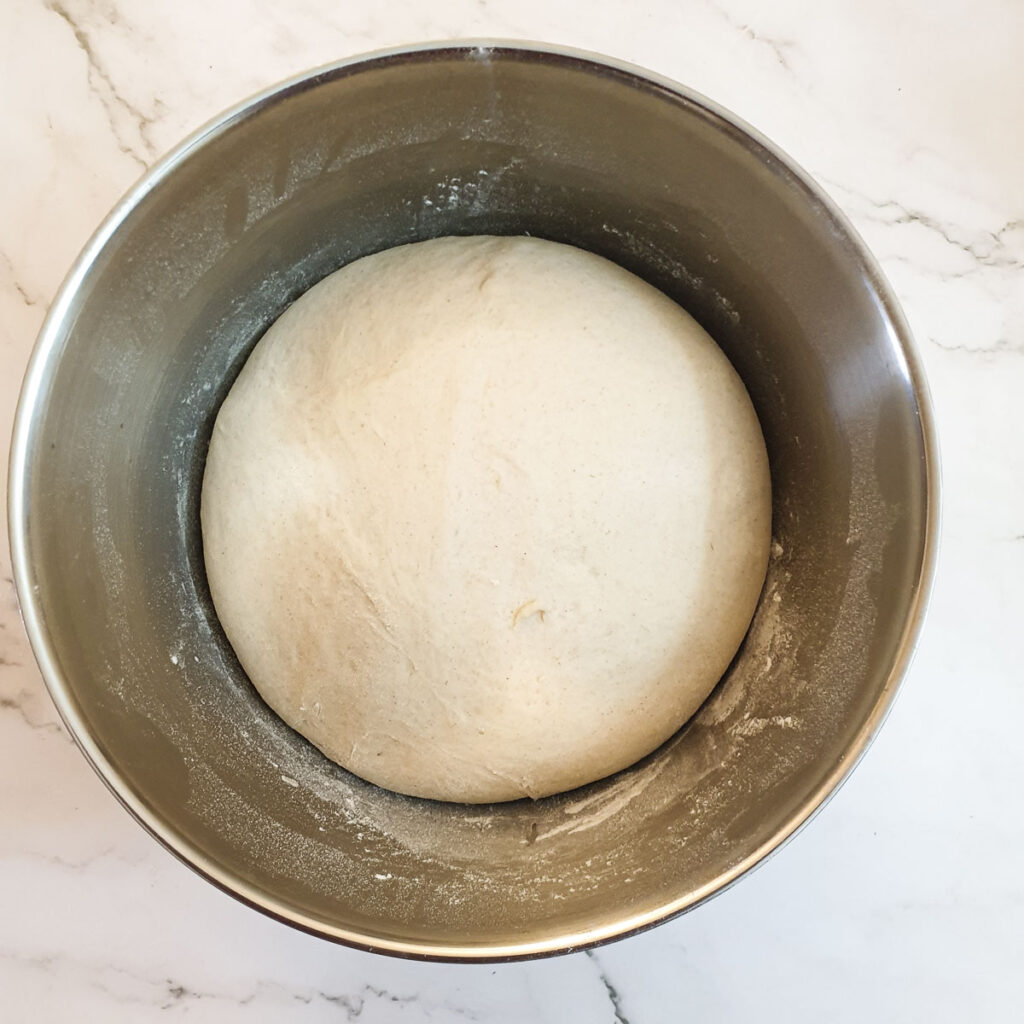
486 518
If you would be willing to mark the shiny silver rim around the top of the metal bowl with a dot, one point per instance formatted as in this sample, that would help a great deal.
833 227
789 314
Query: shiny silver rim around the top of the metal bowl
62 692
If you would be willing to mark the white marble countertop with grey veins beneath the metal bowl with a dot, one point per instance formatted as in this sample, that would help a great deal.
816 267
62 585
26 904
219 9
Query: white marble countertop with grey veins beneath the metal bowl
905 901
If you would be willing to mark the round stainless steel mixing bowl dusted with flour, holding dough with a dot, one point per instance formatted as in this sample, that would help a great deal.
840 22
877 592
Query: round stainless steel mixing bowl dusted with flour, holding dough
156 320
